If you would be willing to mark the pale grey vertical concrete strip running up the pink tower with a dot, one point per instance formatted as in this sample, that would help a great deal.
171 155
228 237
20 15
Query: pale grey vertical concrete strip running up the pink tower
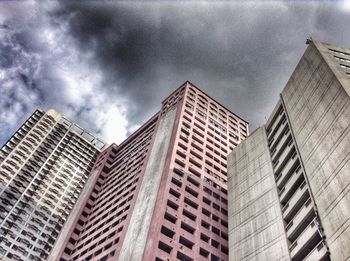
135 238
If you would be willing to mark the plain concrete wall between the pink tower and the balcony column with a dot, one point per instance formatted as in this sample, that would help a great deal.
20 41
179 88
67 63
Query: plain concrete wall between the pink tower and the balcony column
256 230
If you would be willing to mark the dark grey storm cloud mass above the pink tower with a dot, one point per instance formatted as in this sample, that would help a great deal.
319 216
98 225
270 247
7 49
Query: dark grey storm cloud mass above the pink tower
240 53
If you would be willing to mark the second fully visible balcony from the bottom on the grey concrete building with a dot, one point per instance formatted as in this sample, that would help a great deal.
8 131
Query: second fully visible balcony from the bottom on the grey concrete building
304 216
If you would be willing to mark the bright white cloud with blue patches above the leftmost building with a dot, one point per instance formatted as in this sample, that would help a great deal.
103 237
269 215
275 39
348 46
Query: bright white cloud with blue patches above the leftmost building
62 75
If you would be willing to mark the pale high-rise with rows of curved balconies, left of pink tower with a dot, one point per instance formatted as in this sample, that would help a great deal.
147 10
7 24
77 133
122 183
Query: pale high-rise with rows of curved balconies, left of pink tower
43 168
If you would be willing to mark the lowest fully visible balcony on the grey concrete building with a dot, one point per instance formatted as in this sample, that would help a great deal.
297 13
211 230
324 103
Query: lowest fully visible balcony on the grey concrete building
306 242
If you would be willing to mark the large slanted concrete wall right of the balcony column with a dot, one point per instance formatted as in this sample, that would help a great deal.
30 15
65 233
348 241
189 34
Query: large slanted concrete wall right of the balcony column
319 110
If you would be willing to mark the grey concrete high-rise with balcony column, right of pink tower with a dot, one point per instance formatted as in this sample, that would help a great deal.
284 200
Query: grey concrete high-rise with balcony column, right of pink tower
289 181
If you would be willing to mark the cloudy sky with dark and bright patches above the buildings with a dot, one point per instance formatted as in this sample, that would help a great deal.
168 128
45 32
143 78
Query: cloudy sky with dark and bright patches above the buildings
107 65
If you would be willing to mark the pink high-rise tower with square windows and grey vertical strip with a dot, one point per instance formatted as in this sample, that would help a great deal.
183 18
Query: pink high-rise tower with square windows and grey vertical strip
162 193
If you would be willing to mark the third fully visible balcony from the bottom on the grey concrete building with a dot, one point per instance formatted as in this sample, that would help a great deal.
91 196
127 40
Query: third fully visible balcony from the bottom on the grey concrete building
295 202
